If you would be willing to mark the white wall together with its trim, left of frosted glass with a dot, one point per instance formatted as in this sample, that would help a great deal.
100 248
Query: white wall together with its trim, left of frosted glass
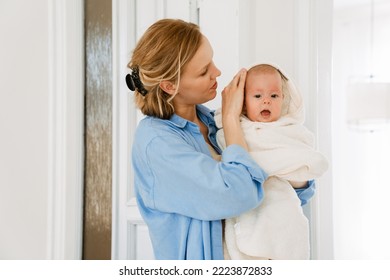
41 97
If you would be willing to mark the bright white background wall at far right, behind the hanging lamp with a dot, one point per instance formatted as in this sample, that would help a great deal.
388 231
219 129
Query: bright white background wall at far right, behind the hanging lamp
361 158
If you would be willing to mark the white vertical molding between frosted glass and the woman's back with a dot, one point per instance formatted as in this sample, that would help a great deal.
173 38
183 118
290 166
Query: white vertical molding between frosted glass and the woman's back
124 123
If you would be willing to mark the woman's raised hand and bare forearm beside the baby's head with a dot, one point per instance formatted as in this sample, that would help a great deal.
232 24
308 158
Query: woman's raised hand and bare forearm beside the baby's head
232 102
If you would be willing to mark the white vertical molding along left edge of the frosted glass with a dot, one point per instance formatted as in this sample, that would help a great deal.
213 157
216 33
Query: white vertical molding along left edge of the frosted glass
66 122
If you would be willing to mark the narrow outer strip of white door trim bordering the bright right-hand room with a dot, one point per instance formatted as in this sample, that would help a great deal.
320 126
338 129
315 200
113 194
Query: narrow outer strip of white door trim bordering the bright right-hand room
322 20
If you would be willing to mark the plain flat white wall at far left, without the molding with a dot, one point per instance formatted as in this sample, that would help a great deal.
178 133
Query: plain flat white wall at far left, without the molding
24 110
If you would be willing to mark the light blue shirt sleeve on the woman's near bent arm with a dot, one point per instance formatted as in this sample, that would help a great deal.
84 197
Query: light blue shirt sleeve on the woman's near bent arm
185 181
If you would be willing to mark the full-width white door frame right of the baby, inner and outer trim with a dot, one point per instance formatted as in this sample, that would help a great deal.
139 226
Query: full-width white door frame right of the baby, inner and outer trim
312 70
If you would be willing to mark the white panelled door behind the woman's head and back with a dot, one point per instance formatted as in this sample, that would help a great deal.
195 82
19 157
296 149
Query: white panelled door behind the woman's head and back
130 238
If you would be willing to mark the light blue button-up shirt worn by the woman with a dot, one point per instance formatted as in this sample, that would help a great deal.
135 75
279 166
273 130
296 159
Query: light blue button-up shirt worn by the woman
183 193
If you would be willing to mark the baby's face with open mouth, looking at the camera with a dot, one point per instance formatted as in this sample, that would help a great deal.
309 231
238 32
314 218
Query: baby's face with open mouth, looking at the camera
263 97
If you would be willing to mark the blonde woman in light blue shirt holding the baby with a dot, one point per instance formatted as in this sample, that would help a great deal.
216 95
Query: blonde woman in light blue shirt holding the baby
183 187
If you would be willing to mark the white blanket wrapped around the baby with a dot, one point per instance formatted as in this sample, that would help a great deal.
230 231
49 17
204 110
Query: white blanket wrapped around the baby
277 229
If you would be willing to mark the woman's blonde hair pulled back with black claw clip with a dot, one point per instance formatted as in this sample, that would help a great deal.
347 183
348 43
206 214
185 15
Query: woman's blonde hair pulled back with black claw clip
161 54
